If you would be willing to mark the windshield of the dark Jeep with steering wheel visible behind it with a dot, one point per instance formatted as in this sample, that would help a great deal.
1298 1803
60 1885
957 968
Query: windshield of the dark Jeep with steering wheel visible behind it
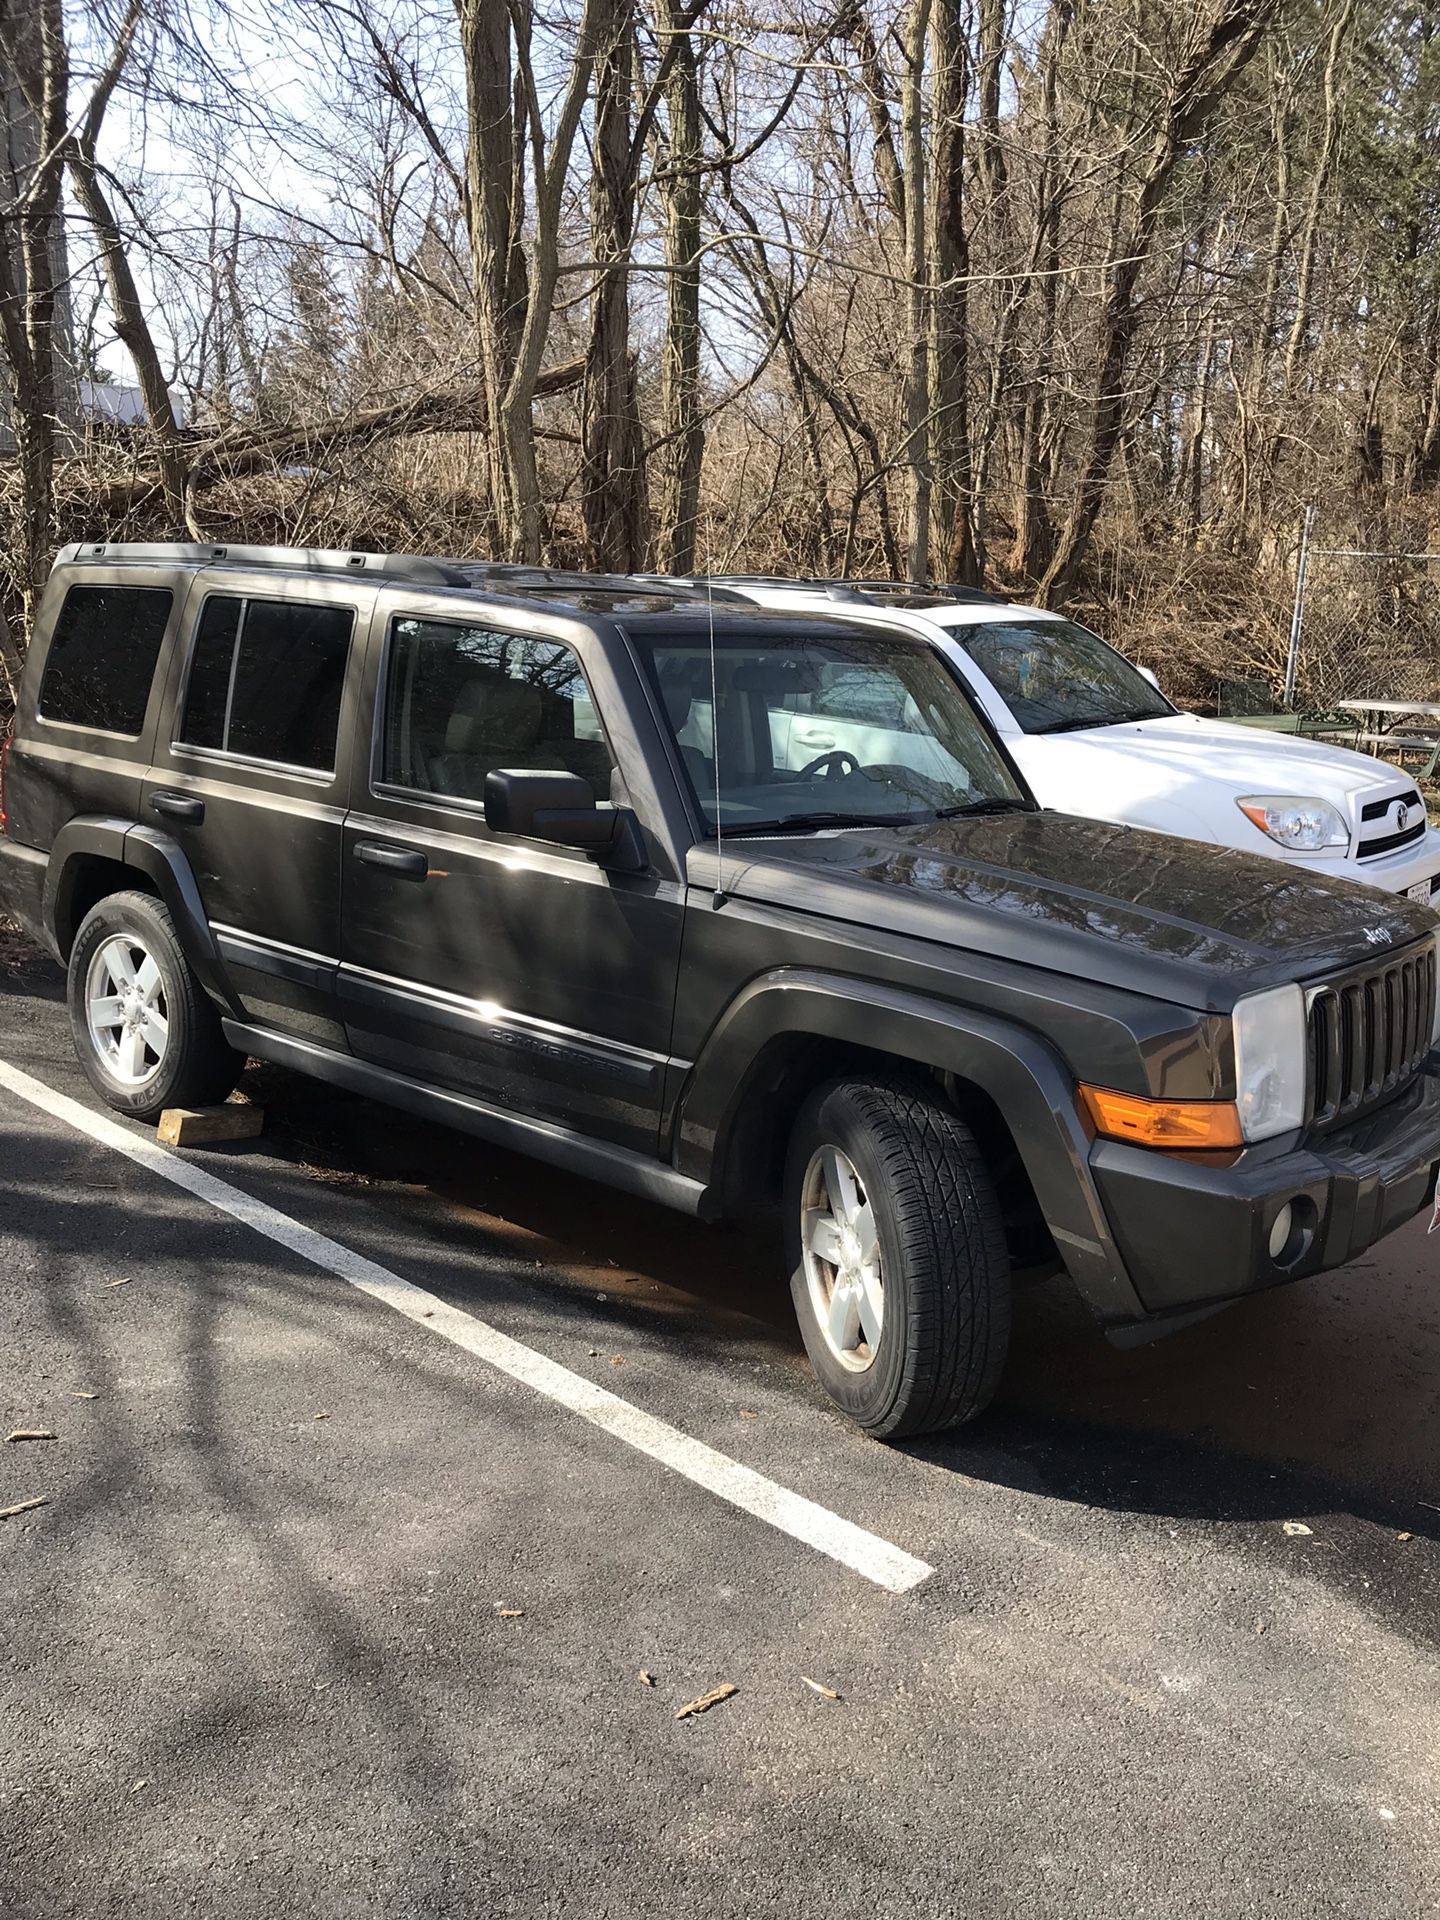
848 731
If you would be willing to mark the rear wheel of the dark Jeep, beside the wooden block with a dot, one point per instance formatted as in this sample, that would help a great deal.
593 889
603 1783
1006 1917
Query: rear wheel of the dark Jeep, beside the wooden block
143 1026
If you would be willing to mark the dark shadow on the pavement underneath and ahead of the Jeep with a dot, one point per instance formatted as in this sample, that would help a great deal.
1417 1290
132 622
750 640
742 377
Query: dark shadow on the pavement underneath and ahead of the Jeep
1310 1399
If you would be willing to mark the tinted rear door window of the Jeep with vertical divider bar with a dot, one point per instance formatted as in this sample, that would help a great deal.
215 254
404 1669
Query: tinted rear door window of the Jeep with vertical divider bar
266 681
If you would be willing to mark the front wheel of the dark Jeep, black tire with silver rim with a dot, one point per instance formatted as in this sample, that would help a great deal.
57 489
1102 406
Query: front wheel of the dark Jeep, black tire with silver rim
900 1266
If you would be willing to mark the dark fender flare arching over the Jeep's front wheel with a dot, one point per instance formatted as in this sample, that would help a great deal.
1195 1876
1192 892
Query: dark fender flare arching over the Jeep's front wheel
1015 1068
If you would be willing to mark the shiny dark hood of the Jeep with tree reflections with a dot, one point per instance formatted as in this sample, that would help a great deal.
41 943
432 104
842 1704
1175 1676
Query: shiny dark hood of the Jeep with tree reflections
1109 903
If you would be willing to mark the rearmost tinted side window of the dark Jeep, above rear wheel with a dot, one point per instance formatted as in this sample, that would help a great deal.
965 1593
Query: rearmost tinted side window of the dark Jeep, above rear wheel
103 658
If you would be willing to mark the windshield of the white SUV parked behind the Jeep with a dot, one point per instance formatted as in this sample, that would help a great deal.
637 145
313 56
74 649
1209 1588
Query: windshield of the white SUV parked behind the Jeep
1057 677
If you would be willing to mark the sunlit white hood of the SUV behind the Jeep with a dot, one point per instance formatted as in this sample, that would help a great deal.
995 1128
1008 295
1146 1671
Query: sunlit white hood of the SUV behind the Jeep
1182 759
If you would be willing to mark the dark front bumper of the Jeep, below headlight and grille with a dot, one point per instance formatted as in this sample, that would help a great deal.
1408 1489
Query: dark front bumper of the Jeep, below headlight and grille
1197 1234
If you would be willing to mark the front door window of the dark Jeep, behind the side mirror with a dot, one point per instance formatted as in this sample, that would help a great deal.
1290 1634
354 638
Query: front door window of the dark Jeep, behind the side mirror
466 702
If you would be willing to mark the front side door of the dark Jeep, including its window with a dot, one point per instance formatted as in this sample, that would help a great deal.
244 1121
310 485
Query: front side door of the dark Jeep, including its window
514 971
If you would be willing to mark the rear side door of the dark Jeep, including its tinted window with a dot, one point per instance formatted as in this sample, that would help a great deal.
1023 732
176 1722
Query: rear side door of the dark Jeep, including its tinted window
249 779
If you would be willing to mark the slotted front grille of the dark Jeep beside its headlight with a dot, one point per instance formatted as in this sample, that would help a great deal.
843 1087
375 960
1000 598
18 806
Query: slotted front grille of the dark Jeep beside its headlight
1368 1034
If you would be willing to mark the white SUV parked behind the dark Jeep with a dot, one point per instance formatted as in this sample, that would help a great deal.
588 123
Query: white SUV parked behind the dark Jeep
1097 736
